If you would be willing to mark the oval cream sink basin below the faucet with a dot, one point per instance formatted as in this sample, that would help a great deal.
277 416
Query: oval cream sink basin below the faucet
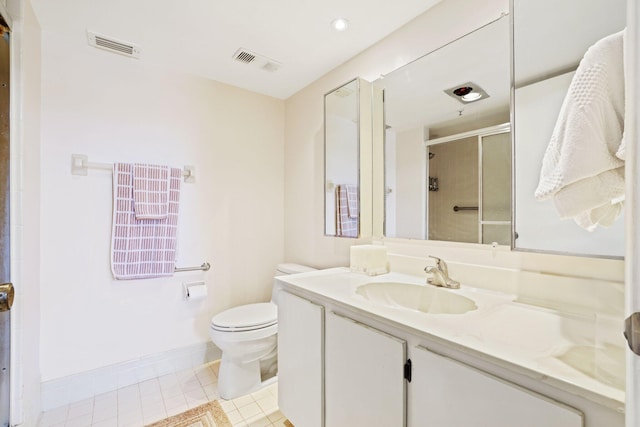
424 298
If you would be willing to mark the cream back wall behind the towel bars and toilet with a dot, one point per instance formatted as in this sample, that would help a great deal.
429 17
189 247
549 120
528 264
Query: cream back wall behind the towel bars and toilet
118 109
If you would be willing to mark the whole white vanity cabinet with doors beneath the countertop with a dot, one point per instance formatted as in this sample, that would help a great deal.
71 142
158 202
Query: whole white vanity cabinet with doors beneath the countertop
343 366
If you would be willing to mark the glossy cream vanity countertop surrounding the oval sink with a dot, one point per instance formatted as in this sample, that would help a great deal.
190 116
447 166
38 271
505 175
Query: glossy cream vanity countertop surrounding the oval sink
572 352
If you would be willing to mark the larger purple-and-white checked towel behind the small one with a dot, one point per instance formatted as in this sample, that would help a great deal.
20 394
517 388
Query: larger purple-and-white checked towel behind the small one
142 248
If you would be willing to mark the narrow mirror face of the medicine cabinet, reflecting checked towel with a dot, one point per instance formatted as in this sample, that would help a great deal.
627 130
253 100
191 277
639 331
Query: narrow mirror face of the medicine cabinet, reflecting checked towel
341 134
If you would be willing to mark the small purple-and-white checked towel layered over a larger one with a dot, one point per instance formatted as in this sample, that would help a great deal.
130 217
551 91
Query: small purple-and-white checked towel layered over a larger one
150 191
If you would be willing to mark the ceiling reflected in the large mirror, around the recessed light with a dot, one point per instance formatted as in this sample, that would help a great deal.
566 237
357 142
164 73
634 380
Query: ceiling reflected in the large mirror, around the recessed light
414 94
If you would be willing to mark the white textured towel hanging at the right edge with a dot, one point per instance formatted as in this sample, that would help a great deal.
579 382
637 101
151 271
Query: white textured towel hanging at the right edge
580 169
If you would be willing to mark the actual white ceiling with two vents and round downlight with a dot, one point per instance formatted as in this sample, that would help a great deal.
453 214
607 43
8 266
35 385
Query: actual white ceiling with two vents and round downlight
201 36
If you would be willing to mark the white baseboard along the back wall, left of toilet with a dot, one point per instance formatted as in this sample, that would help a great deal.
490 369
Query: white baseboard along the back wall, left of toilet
77 387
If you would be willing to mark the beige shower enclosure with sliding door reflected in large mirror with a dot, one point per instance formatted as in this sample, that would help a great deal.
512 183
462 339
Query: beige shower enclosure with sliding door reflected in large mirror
469 191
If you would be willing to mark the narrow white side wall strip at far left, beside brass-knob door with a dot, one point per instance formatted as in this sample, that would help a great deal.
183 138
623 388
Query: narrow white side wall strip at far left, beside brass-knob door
25 213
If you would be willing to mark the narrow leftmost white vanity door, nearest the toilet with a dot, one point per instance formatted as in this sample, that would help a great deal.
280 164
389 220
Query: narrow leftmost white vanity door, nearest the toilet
300 360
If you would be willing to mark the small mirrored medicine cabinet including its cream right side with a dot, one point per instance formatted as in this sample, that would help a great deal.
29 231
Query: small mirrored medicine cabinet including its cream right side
347 166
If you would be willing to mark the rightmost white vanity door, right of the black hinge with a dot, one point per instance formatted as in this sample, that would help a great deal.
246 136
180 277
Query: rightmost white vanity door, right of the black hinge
444 392
